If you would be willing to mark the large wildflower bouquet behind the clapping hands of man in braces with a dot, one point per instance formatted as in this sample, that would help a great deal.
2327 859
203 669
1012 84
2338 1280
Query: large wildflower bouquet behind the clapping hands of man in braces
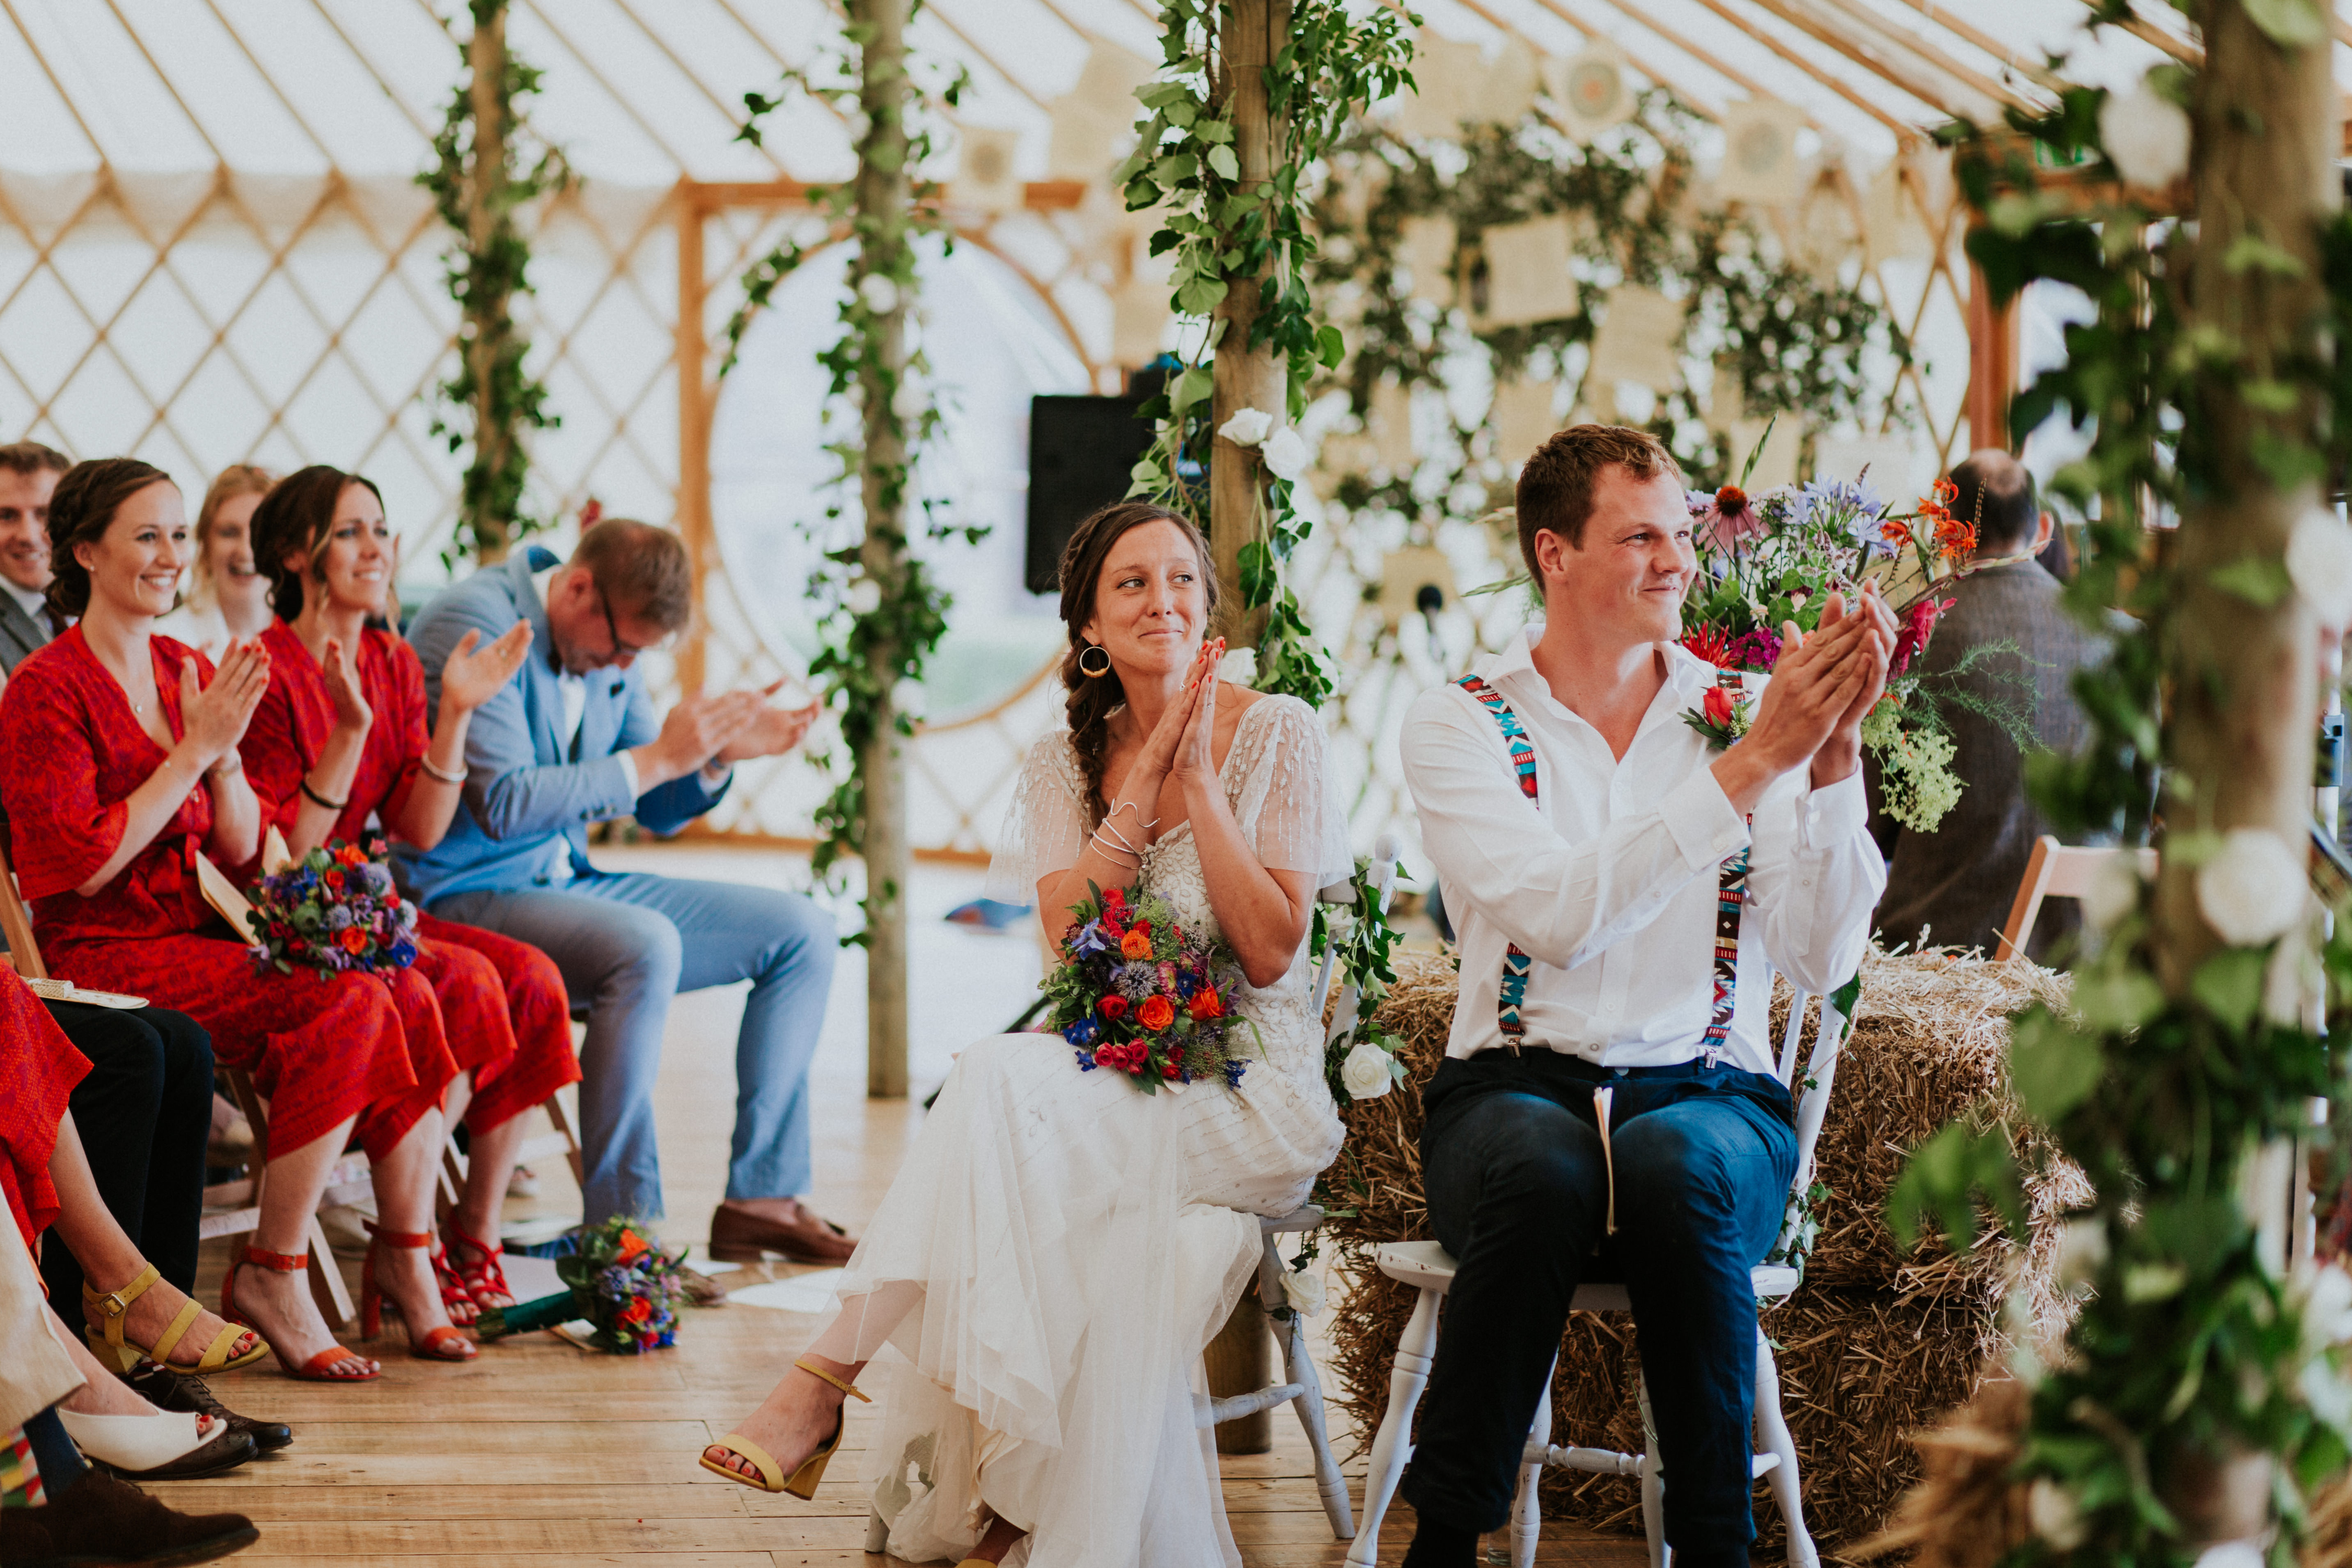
1775 558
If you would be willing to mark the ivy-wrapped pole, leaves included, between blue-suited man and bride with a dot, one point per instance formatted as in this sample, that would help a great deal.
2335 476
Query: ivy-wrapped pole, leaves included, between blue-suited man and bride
881 610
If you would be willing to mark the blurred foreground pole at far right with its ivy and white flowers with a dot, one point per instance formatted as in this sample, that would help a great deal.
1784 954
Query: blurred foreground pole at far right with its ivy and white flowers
2212 1005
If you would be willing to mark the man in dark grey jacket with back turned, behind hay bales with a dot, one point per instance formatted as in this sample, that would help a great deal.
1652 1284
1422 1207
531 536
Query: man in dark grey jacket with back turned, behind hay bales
1960 880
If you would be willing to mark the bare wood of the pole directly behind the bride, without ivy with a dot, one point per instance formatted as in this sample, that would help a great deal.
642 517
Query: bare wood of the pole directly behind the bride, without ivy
1245 377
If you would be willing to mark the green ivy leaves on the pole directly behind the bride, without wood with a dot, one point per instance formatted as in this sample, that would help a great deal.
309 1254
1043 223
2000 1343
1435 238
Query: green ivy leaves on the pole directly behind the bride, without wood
1325 74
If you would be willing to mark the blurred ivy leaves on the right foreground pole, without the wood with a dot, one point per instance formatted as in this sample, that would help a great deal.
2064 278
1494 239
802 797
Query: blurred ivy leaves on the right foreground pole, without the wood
2193 1348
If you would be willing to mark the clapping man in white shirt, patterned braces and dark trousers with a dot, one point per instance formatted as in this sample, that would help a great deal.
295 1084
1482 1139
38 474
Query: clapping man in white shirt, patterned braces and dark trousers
1624 894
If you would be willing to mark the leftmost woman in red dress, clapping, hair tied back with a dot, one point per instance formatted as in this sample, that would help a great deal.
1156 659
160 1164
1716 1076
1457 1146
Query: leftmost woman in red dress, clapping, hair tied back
119 768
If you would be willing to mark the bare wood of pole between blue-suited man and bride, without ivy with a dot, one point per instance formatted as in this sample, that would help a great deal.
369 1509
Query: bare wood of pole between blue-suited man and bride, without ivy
881 225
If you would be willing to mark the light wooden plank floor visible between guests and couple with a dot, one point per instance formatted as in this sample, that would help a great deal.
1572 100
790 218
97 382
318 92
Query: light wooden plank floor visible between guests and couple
547 1456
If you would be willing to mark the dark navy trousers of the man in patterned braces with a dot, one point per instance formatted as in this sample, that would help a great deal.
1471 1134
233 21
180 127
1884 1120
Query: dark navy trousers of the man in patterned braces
1518 1193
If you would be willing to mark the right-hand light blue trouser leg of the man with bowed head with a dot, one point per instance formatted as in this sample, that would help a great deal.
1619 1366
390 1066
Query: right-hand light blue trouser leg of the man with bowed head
784 946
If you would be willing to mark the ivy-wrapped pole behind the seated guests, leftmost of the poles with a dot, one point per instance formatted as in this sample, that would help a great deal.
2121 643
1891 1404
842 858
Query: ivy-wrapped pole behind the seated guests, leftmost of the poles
483 170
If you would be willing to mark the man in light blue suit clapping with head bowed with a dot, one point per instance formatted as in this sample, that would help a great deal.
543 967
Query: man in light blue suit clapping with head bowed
575 742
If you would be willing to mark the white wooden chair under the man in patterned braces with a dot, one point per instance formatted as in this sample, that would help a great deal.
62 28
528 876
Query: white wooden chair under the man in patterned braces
1431 1271
